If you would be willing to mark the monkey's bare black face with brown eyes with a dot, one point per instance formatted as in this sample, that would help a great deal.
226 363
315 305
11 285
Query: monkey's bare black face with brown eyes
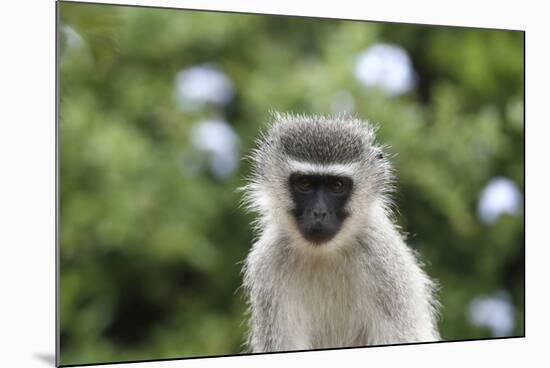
319 204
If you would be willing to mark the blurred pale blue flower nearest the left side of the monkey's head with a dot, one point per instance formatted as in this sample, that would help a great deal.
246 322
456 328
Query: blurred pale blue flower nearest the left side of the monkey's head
219 141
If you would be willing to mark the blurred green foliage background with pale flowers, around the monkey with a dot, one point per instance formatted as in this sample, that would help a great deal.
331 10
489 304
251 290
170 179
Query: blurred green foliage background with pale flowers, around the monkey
158 106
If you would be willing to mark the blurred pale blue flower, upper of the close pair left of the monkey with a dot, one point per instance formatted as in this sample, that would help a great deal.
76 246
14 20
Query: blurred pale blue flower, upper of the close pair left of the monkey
200 85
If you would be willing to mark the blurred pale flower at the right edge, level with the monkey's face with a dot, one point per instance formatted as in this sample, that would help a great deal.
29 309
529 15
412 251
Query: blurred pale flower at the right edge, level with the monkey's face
500 196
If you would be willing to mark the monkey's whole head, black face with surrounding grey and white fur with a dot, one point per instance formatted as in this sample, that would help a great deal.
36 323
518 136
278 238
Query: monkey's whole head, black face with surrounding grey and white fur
317 178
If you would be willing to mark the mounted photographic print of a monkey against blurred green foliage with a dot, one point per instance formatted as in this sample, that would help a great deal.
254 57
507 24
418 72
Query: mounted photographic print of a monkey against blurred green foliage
249 183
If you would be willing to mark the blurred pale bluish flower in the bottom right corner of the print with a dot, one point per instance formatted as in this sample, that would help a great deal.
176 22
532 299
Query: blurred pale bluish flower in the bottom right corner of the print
495 312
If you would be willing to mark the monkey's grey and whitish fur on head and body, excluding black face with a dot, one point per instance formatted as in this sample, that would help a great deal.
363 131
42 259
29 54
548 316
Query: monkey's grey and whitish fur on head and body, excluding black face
364 287
